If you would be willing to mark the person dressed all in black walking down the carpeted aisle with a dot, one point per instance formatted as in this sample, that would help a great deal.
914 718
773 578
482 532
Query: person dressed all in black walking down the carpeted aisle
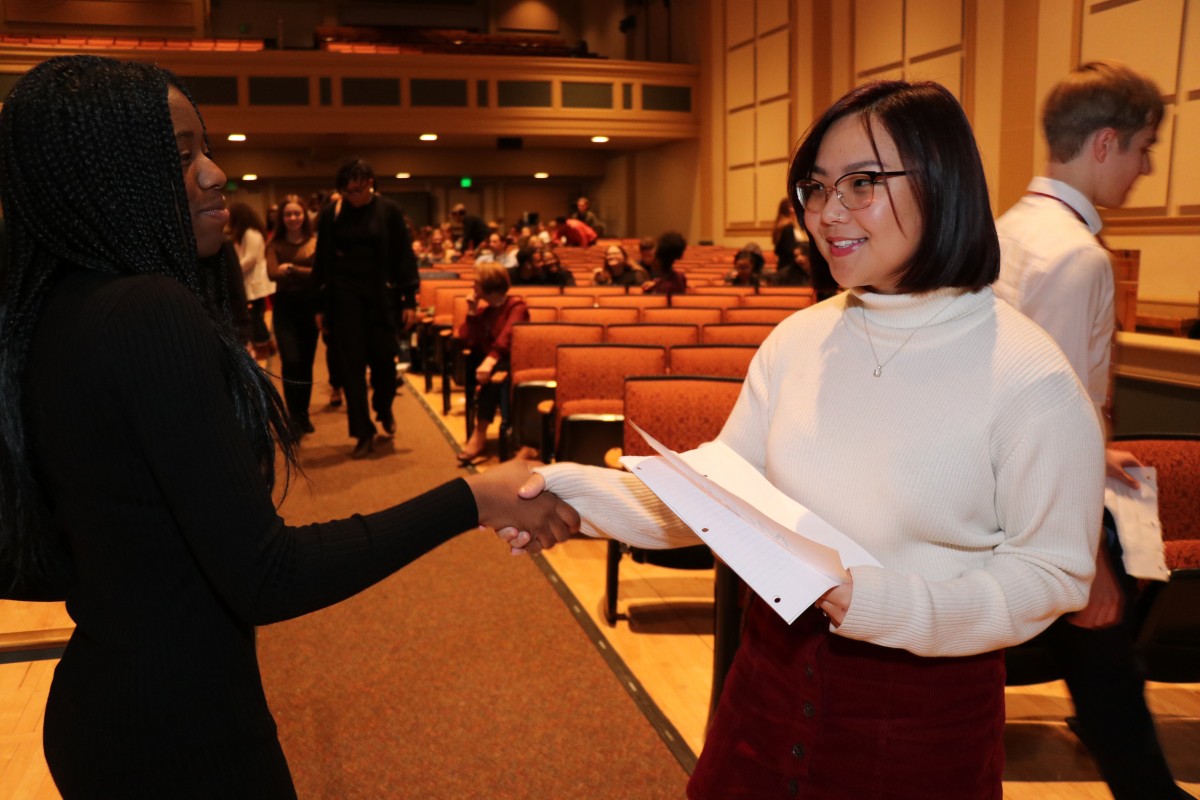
367 280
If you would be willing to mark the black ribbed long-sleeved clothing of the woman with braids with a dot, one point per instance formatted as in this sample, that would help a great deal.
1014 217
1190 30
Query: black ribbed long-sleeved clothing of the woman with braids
178 550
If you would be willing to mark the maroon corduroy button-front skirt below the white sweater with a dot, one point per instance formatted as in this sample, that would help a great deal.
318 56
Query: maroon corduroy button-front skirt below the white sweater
811 714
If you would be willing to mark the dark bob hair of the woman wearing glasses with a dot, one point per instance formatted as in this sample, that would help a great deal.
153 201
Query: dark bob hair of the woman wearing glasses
958 244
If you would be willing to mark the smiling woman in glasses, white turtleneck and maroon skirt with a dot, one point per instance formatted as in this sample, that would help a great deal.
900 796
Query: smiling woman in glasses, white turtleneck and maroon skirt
931 423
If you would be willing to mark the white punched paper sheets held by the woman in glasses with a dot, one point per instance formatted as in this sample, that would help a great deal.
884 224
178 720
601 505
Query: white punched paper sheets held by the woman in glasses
788 555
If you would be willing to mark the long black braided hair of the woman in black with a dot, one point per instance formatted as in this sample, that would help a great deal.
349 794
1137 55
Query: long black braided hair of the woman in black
87 146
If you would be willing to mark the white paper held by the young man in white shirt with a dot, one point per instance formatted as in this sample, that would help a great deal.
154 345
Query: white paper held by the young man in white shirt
1136 513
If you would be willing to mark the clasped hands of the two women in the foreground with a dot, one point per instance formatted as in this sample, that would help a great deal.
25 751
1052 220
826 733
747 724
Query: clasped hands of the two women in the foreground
513 501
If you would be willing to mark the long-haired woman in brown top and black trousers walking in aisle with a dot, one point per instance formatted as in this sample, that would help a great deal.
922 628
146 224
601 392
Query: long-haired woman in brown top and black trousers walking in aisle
290 264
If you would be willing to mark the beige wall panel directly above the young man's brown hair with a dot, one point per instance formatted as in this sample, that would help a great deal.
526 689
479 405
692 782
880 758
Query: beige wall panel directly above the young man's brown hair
1145 35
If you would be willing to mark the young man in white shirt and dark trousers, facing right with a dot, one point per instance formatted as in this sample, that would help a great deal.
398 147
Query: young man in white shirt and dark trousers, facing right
1100 124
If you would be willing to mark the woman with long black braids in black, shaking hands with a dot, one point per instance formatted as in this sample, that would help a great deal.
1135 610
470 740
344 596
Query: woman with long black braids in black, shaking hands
137 442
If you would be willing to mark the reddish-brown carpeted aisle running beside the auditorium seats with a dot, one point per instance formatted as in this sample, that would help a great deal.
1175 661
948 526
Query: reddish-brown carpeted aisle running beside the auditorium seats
463 676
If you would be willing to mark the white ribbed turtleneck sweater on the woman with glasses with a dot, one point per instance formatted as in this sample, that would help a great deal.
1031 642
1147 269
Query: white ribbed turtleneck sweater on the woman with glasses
971 468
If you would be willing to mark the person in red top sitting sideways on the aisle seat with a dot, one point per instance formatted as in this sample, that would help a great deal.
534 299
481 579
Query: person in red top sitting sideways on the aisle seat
488 332
